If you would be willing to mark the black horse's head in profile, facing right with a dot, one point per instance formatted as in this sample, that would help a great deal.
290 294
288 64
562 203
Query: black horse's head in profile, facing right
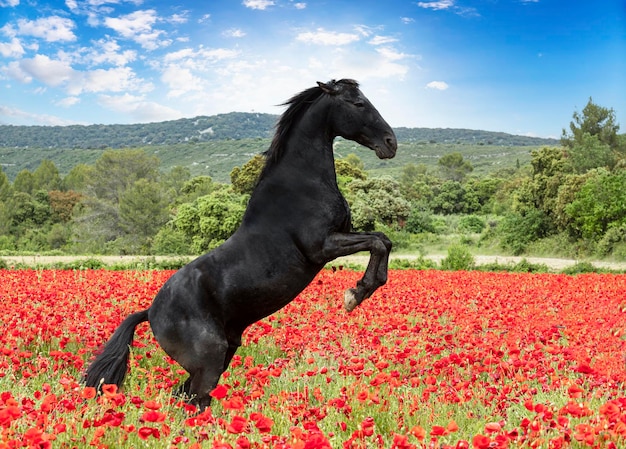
355 118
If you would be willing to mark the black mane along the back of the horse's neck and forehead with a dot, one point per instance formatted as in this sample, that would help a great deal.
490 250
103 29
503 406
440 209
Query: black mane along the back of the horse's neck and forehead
297 105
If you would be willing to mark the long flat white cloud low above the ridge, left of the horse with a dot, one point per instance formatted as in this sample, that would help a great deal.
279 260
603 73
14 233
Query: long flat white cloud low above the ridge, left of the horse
138 108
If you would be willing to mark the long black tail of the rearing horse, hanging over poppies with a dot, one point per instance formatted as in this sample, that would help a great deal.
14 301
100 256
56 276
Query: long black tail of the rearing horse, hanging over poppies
111 364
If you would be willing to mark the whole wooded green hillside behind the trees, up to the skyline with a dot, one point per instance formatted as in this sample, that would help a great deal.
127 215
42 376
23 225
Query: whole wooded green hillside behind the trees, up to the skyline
214 145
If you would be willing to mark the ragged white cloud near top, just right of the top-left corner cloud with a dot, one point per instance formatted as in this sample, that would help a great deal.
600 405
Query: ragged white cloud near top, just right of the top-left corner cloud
137 26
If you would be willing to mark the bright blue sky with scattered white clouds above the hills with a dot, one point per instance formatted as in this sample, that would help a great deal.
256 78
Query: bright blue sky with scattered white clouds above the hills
517 66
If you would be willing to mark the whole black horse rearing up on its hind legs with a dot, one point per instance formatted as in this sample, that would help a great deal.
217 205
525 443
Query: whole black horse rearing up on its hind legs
296 222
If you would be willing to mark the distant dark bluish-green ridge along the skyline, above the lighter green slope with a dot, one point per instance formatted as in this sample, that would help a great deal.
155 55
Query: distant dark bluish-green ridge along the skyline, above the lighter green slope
231 126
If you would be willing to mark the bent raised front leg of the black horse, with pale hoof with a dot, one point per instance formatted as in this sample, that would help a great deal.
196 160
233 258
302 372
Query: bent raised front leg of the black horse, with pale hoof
379 246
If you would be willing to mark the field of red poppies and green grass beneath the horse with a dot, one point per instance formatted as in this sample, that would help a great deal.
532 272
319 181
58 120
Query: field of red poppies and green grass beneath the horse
434 359
